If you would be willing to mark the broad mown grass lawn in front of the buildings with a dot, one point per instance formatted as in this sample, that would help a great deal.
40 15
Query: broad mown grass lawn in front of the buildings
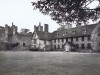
49 63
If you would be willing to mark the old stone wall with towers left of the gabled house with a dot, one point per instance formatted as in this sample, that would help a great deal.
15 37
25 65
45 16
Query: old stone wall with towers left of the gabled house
9 34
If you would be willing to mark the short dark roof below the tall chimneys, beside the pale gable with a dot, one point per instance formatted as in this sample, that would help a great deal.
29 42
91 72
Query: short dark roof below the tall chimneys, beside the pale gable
44 35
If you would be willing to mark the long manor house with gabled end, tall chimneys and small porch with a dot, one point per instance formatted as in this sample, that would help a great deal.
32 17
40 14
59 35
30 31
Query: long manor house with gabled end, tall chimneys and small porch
82 38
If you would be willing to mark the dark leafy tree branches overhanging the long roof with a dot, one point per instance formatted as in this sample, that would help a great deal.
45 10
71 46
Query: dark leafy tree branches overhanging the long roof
71 11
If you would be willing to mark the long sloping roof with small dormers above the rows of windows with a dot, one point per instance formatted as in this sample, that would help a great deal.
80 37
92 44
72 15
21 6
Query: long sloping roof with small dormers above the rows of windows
74 32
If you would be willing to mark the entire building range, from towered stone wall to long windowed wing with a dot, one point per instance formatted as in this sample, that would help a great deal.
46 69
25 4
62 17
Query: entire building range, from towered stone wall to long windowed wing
81 38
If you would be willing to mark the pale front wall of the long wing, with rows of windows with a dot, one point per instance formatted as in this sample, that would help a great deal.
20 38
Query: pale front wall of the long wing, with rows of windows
77 41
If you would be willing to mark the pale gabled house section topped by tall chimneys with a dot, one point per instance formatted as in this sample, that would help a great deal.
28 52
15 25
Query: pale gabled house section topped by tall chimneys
40 38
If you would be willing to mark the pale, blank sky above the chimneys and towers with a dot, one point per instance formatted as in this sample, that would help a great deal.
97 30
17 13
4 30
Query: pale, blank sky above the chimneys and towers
21 13
